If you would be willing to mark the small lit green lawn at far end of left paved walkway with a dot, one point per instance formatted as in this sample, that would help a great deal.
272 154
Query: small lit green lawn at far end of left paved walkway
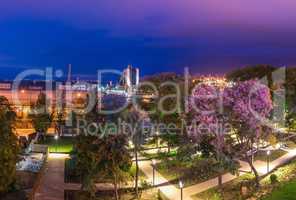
62 145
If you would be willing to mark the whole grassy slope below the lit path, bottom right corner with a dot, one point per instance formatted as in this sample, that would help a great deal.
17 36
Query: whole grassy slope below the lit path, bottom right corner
284 189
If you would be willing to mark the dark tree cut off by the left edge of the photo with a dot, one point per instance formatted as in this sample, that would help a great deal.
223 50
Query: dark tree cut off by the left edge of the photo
9 148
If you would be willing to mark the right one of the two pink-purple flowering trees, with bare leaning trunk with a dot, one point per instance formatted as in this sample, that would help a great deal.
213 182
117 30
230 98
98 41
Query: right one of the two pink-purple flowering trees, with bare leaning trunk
248 106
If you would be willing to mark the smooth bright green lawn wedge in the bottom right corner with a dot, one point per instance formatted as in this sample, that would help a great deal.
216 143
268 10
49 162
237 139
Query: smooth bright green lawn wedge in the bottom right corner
285 192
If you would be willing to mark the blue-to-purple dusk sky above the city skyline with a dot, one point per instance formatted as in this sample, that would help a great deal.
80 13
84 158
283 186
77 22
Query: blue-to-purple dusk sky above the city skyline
154 35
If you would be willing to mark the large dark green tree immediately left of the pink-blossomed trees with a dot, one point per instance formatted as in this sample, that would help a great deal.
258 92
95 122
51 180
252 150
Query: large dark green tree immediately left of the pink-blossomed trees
167 107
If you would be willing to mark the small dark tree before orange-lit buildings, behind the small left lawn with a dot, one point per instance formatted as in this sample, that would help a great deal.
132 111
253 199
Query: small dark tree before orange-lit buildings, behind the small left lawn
41 116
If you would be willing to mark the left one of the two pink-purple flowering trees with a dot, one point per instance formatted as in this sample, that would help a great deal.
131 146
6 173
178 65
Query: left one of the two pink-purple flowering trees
206 109
